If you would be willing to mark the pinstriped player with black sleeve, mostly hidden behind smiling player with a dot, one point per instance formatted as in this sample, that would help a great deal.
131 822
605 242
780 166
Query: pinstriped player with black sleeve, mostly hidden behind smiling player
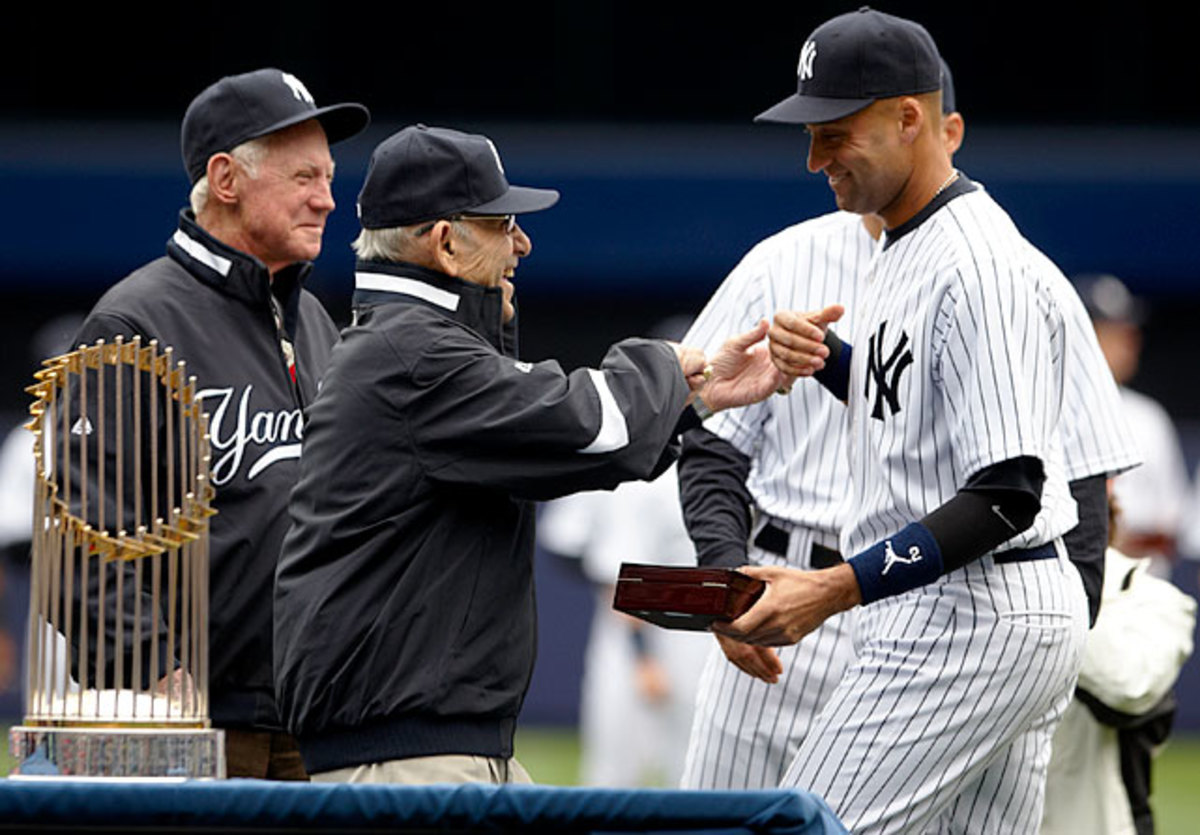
779 473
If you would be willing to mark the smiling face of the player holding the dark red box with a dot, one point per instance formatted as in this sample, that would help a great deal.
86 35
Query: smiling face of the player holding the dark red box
862 158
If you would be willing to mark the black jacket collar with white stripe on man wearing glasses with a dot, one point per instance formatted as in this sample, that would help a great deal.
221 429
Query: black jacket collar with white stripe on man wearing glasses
482 309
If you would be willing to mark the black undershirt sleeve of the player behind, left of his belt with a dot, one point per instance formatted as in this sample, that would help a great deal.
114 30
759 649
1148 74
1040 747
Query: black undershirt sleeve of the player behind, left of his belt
715 498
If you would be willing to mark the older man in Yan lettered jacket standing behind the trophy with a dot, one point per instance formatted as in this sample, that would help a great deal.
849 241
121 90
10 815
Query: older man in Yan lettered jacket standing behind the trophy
230 298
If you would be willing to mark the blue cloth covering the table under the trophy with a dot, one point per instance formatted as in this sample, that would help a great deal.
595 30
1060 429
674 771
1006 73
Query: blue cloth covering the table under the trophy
249 806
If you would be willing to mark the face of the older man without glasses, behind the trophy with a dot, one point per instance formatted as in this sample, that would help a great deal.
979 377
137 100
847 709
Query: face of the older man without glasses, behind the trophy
283 212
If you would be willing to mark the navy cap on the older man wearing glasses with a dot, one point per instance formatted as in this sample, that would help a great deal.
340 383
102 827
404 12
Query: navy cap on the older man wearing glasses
429 173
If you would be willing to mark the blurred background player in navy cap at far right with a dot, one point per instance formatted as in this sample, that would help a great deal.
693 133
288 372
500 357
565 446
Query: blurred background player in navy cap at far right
1151 497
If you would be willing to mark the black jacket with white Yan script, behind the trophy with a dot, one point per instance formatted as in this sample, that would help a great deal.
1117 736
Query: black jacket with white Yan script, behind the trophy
213 305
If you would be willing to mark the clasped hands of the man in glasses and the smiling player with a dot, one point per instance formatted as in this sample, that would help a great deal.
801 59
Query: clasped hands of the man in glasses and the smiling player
746 371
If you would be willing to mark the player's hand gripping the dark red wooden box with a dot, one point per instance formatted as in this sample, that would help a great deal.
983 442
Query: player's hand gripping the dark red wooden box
795 604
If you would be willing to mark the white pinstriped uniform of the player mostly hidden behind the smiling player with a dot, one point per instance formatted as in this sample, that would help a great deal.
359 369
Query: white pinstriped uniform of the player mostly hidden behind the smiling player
747 731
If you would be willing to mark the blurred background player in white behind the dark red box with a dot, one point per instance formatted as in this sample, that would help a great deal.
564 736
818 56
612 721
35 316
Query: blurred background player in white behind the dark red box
639 682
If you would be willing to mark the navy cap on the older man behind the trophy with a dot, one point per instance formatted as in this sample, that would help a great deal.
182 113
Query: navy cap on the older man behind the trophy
239 109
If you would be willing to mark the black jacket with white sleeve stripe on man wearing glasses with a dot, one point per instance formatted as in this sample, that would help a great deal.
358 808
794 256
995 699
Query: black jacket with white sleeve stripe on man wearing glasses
405 620
